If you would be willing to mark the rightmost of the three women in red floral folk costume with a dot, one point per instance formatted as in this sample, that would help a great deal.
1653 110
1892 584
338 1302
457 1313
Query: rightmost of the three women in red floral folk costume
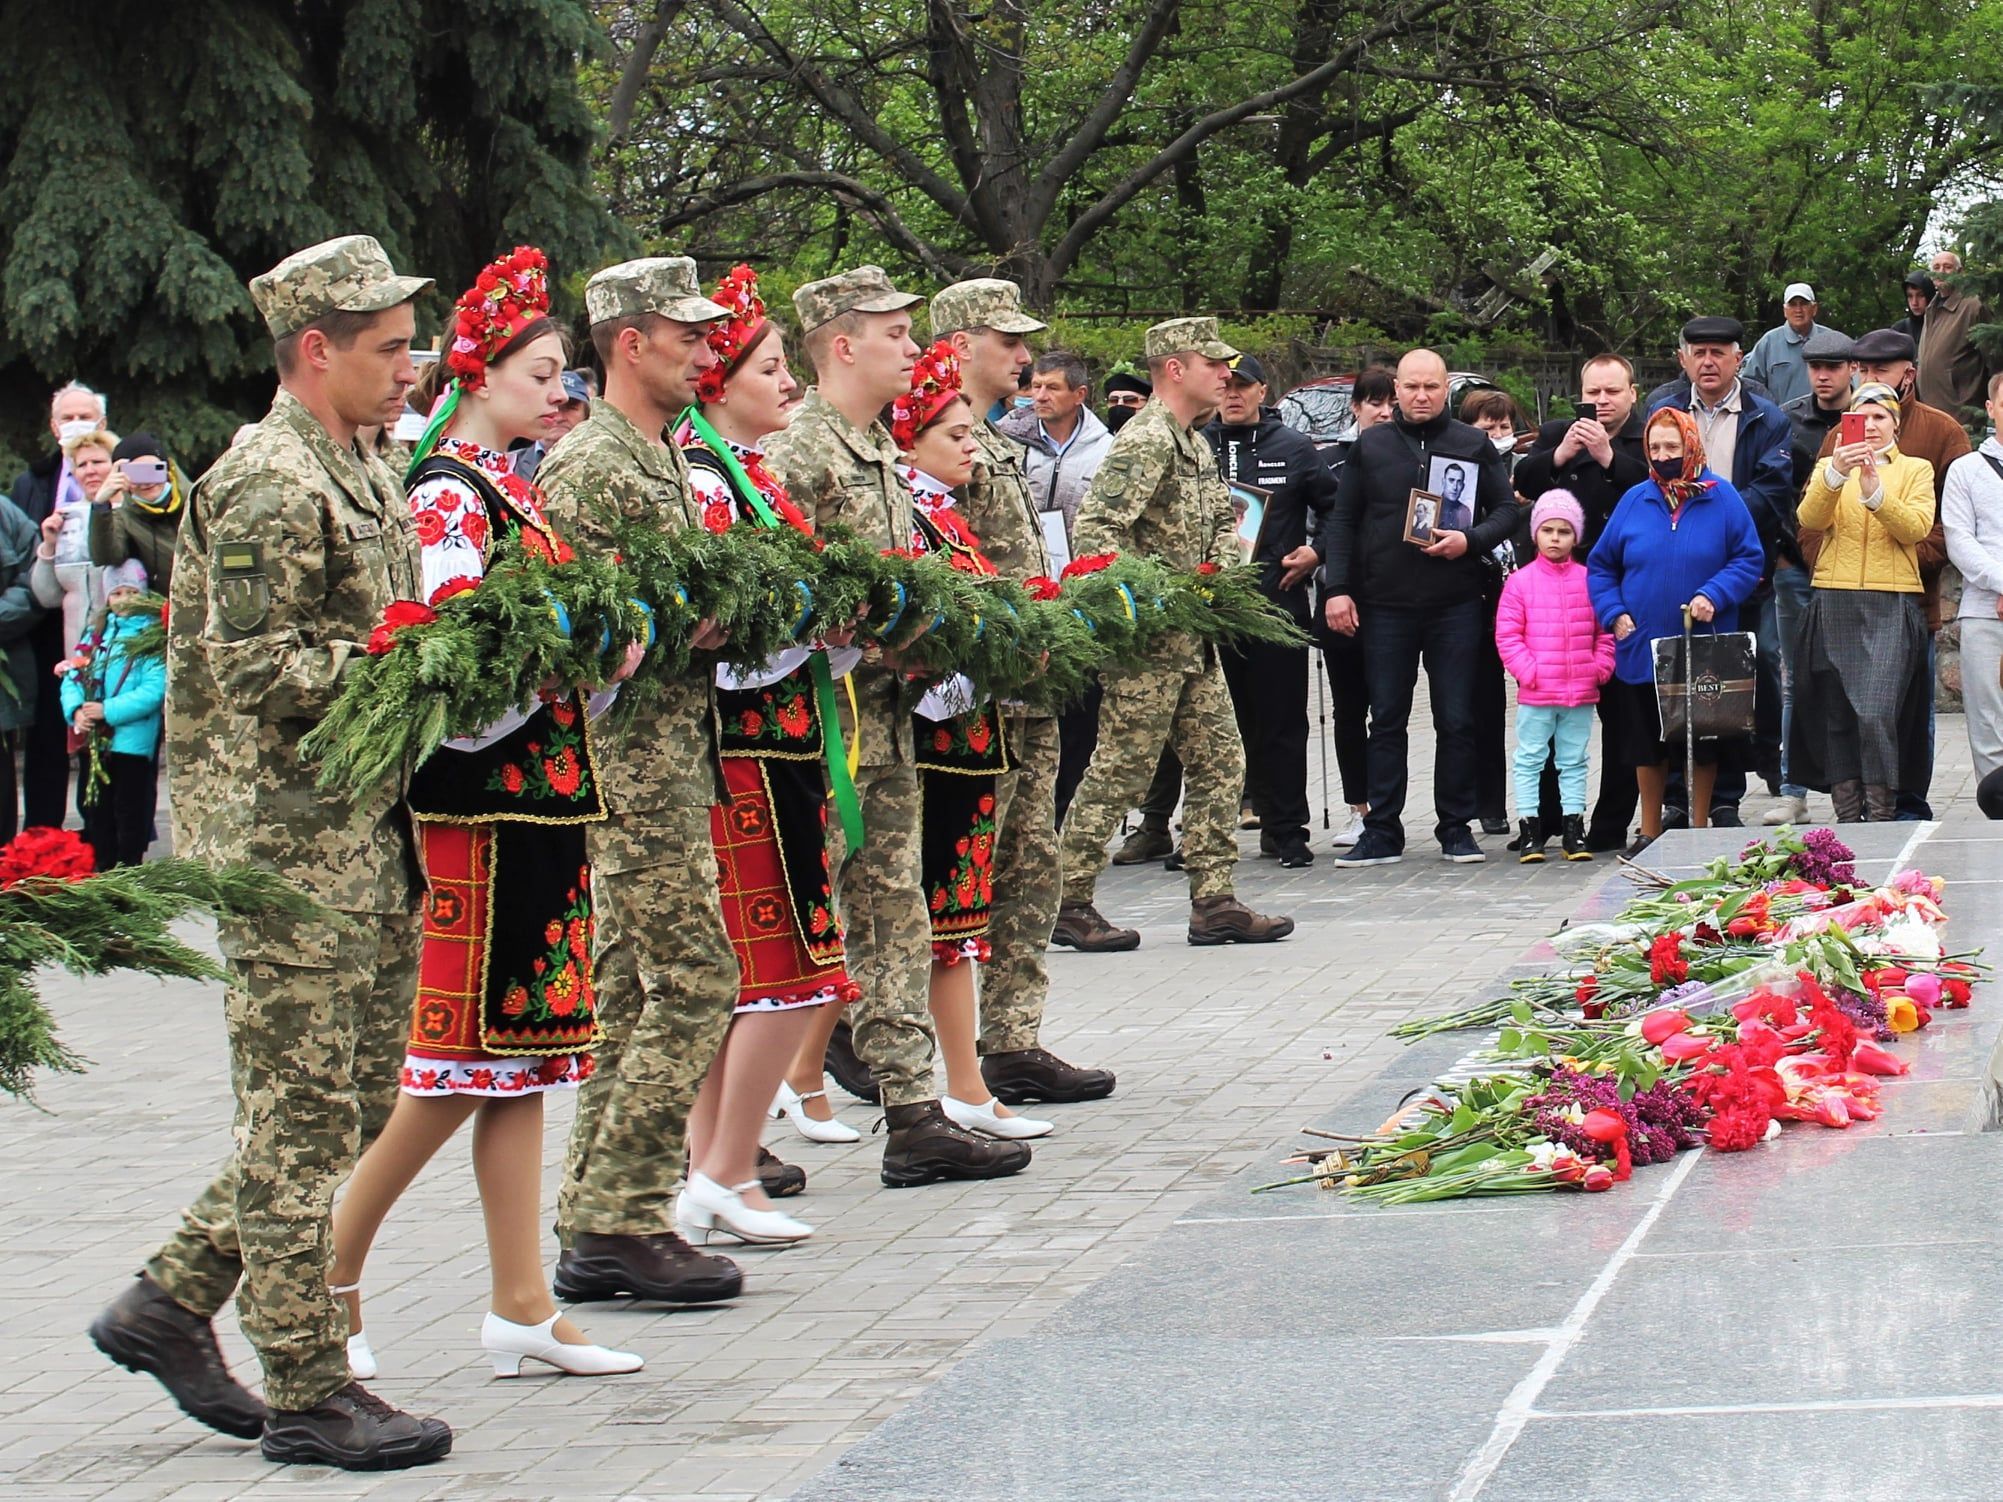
960 750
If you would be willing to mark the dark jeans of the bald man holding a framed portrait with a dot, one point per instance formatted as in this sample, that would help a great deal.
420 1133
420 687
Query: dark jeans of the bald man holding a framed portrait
1449 644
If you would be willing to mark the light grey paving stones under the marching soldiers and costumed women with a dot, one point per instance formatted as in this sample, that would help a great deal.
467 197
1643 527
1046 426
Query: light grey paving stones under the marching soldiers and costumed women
1221 1052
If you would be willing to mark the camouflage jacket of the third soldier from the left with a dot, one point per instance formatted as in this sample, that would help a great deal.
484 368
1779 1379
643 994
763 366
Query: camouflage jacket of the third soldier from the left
844 476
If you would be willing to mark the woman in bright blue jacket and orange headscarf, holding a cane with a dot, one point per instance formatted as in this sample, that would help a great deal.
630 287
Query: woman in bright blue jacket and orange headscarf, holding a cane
1680 538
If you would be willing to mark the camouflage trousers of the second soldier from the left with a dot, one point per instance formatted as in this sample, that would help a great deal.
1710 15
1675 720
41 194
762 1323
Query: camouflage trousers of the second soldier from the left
668 982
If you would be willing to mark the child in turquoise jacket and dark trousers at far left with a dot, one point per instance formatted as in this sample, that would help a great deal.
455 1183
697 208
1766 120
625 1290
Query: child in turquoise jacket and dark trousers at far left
117 698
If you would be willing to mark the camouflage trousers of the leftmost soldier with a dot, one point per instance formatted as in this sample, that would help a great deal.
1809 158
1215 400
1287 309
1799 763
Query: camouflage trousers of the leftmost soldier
317 1018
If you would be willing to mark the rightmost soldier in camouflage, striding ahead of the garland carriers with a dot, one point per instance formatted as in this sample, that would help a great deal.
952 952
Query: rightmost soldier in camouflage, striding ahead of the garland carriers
1159 494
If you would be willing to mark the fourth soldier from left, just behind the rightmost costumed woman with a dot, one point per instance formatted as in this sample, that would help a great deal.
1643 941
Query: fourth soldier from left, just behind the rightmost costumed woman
986 323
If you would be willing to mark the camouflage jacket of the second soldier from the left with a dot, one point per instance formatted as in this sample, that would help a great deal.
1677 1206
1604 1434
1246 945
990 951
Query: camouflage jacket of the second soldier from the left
664 752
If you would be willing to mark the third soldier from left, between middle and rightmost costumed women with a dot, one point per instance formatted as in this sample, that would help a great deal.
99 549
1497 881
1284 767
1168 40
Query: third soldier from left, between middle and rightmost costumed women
840 466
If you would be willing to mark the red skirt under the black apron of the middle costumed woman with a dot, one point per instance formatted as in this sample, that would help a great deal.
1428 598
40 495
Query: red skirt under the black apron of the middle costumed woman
760 904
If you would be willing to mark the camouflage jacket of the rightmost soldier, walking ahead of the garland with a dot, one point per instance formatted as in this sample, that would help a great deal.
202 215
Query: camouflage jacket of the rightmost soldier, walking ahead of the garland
1159 494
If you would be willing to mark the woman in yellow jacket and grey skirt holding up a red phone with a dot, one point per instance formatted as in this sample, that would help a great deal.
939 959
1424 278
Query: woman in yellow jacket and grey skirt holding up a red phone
1860 716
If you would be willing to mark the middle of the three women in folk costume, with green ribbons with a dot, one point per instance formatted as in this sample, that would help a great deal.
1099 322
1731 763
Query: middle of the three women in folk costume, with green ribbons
772 850
